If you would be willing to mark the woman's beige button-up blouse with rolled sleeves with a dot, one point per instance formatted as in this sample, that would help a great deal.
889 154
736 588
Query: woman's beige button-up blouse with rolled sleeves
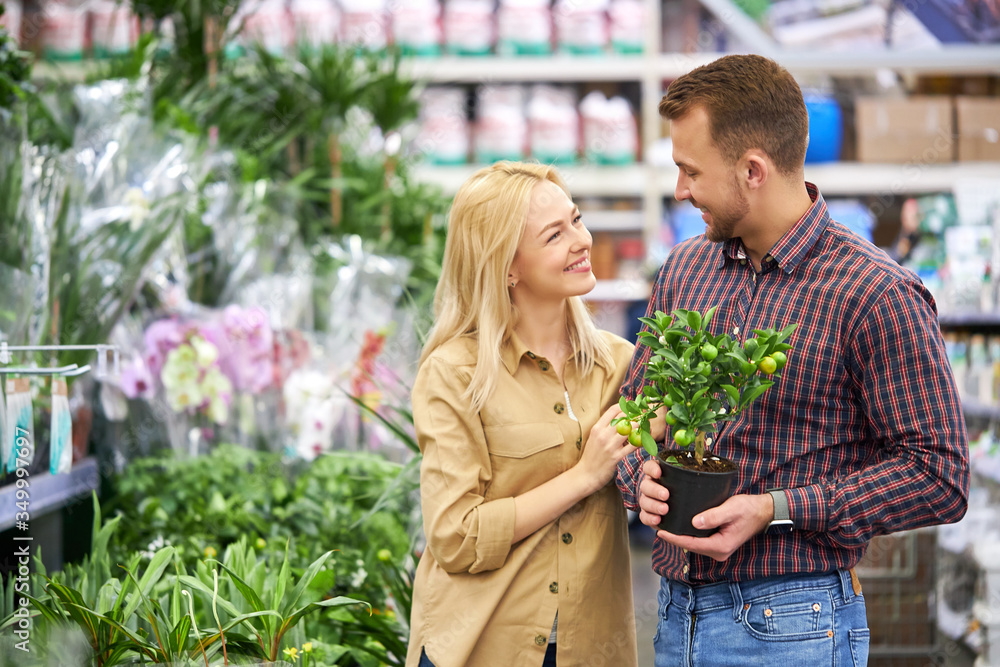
480 600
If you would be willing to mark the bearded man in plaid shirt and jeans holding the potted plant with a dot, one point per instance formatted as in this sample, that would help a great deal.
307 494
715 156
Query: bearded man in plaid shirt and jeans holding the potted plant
862 436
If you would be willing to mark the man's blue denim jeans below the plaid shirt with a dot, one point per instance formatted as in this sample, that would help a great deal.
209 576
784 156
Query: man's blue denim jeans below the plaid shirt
789 620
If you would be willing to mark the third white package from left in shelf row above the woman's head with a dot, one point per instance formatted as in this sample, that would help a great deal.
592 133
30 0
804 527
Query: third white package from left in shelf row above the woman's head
554 125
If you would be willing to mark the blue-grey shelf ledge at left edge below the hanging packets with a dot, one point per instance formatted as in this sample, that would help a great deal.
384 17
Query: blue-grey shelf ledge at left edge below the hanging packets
47 492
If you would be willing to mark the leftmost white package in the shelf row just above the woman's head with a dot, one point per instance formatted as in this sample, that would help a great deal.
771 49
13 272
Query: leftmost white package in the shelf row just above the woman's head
443 137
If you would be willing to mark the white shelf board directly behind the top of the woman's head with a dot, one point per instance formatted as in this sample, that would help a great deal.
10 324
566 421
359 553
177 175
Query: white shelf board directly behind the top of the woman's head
626 181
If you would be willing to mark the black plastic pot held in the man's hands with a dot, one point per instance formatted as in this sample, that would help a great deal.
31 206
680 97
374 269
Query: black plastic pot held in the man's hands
692 492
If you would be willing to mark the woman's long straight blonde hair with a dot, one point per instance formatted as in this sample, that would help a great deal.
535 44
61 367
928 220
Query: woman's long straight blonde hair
487 220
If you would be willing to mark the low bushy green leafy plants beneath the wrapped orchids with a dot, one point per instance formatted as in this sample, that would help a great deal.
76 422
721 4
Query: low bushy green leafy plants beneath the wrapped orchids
355 503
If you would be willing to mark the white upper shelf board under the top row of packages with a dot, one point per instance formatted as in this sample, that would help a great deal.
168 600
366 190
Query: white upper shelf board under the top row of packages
487 69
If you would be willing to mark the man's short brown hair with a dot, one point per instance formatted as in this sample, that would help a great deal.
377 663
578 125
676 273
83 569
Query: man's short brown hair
751 102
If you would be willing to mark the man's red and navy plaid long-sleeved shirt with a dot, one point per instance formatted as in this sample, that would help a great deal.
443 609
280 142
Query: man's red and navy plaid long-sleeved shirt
864 431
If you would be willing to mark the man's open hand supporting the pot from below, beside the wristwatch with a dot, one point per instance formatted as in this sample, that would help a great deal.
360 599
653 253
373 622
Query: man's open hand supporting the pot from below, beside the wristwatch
738 519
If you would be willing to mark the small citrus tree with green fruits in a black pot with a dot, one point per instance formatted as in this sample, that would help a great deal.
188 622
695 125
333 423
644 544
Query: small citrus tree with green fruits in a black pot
697 381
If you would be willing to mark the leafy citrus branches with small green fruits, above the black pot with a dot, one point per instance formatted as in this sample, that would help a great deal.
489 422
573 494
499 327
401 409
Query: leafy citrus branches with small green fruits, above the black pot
701 379
